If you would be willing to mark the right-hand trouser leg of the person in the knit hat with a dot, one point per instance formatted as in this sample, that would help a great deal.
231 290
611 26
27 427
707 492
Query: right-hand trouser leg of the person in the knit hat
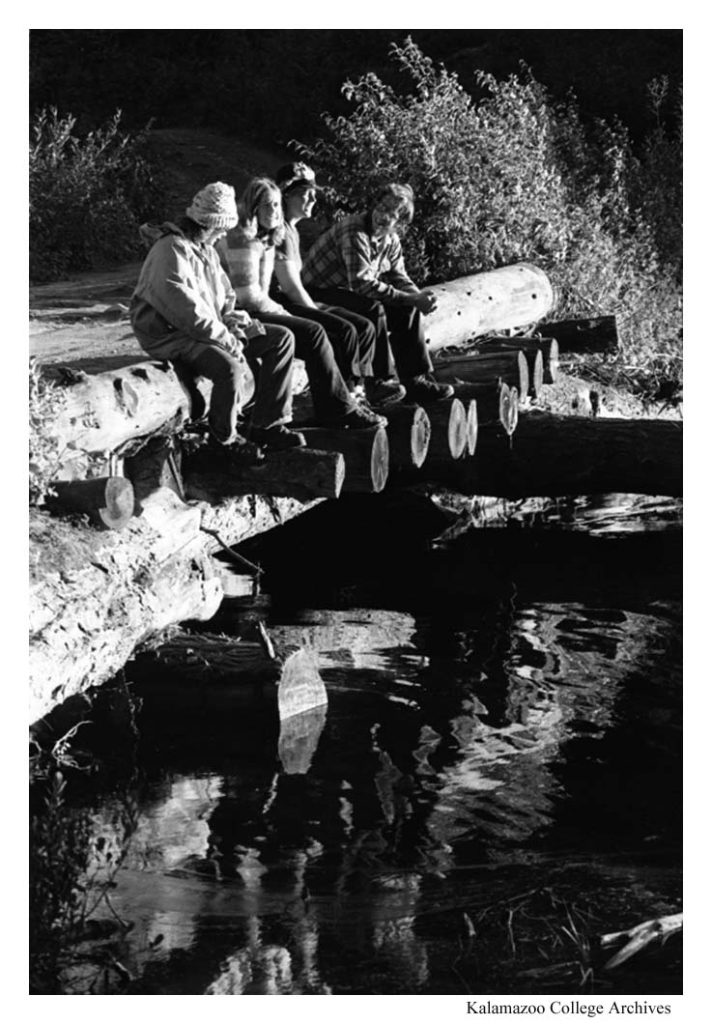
275 354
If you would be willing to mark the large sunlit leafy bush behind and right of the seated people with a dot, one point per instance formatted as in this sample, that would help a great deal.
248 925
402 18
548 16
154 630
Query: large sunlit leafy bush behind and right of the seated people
514 178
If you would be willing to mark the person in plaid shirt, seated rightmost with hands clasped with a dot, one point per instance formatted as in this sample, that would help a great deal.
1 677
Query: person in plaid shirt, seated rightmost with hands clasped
358 264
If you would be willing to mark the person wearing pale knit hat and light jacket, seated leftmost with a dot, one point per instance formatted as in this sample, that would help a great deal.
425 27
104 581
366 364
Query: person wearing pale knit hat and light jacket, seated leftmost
184 309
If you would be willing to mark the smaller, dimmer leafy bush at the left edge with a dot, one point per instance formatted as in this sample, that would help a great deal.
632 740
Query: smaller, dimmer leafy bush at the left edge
88 196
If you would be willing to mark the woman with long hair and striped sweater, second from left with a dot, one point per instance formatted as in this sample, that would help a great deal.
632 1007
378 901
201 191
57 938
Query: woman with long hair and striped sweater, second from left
248 255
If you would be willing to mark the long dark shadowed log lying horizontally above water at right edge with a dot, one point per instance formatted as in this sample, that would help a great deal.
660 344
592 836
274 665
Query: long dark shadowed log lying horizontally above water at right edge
559 455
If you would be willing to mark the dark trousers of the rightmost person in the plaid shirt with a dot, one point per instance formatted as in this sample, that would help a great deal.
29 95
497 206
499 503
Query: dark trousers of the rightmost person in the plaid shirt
401 345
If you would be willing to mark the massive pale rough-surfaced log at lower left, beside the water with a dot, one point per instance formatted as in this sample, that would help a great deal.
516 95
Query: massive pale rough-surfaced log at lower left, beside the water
96 595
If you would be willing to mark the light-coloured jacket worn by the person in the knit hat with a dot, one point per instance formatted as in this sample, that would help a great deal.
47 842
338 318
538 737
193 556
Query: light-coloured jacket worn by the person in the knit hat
182 297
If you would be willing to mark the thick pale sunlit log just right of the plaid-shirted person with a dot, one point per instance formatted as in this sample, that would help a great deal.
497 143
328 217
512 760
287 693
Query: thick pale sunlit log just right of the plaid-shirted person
484 304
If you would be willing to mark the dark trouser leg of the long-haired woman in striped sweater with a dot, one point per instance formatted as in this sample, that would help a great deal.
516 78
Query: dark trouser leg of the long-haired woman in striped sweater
330 396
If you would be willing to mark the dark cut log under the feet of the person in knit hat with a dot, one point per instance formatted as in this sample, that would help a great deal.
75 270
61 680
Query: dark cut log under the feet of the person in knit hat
304 474
